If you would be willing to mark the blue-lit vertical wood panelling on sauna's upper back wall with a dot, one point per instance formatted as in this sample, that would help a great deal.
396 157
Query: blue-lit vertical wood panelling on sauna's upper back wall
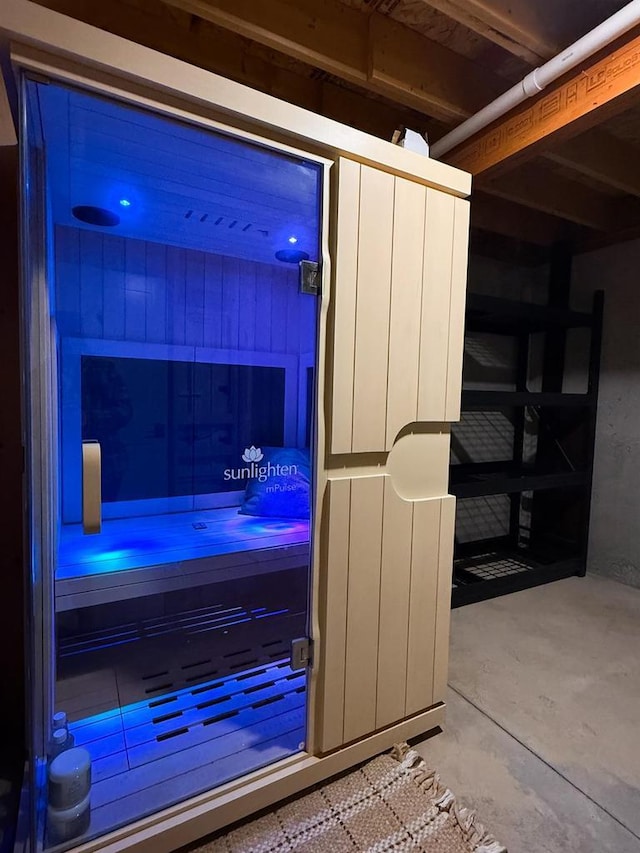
115 288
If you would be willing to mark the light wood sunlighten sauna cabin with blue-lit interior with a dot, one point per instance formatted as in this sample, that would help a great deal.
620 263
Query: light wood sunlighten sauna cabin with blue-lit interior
242 354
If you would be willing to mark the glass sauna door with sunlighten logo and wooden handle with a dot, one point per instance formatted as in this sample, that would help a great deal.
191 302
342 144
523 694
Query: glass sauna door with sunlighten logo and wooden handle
182 353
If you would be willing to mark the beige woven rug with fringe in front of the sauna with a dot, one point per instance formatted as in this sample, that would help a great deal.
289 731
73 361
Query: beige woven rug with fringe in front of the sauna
393 803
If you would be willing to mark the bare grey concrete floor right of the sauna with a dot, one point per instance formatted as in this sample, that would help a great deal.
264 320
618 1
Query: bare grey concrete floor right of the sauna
543 723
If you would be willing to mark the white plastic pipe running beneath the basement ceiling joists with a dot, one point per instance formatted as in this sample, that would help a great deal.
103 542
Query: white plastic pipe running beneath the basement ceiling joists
539 78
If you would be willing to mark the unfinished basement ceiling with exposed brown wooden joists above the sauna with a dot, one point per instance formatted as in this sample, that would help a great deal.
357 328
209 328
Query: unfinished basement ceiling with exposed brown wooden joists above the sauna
376 64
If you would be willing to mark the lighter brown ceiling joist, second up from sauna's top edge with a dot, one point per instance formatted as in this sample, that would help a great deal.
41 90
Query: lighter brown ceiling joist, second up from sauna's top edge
371 51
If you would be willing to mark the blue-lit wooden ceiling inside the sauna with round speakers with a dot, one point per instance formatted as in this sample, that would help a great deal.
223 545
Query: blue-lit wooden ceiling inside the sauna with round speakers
185 186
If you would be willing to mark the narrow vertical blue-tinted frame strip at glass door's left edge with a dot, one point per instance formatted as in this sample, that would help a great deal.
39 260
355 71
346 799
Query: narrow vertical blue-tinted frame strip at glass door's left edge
39 420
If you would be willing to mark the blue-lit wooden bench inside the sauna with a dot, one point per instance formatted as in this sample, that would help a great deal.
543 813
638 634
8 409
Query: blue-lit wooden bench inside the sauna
141 556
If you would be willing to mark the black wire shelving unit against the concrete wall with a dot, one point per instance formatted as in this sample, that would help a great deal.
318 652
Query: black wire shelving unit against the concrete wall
549 491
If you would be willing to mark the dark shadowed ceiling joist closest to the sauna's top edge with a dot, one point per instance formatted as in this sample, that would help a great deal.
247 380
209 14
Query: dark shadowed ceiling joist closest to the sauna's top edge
201 43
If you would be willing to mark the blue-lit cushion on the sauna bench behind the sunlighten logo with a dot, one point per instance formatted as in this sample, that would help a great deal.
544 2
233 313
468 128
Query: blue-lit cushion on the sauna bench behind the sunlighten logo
285 486
